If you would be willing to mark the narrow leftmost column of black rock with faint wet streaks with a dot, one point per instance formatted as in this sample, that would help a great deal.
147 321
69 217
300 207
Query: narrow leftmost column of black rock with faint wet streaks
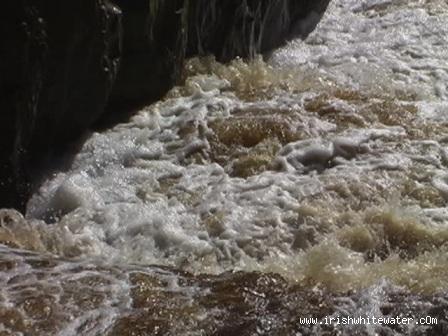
22 53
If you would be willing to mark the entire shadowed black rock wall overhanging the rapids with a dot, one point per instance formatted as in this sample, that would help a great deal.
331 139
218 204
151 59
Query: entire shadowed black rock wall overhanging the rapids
63 63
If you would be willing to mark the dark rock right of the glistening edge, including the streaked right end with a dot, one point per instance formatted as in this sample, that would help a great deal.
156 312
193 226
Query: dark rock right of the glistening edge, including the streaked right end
155 38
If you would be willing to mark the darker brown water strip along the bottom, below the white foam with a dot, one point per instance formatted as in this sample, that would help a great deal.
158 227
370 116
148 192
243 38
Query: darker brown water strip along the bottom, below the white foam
44 295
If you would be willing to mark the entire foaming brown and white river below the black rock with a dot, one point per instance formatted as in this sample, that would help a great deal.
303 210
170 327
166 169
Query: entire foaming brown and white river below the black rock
312 184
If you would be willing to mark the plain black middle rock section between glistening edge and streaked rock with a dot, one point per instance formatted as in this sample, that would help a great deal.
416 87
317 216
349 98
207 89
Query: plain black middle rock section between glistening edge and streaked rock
153 51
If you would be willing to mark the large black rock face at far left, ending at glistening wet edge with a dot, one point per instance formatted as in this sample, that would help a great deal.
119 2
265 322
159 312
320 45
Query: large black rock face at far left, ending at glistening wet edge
58 63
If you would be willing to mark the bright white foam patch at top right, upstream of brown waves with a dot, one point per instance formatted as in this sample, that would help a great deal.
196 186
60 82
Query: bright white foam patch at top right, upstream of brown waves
369 43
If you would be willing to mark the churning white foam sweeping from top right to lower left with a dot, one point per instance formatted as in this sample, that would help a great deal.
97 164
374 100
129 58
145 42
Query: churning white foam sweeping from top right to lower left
150 191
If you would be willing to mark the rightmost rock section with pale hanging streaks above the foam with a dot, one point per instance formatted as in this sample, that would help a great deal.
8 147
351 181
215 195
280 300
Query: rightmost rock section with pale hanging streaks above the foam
244 28
